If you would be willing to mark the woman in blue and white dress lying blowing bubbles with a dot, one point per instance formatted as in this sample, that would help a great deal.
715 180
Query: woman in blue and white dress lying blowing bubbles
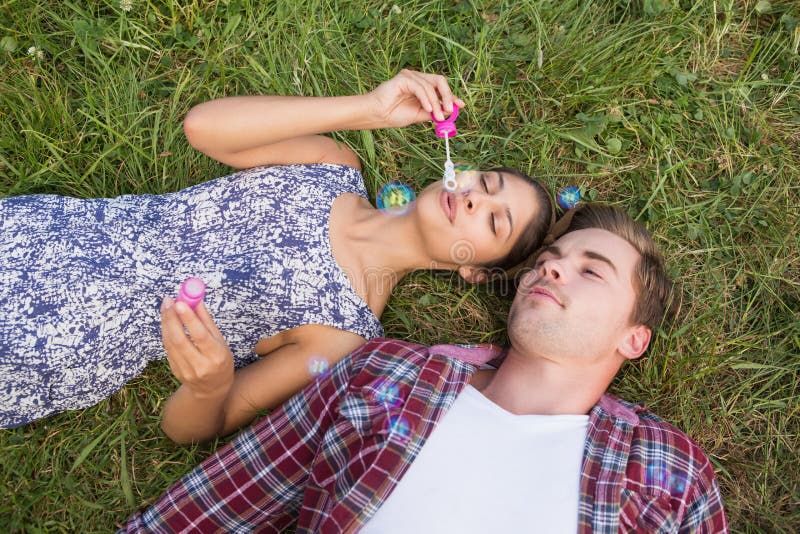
289 253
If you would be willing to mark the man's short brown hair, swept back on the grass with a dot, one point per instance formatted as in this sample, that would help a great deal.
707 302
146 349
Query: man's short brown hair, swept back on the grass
650 280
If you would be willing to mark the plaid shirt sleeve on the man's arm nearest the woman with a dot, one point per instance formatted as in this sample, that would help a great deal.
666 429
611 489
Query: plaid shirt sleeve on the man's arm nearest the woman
258 479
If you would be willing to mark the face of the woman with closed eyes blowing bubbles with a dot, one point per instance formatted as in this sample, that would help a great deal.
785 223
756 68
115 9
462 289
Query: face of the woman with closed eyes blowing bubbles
480 225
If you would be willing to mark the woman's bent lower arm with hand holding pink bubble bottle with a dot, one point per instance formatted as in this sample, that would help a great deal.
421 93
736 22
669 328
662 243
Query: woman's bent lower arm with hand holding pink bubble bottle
213 400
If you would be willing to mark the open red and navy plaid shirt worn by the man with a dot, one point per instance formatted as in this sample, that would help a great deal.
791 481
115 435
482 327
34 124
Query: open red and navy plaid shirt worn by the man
331 455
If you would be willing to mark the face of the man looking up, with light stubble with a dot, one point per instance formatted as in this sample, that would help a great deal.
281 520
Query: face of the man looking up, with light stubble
575 306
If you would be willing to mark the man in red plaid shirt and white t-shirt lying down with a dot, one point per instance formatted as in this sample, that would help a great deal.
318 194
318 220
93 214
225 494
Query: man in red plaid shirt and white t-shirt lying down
404 438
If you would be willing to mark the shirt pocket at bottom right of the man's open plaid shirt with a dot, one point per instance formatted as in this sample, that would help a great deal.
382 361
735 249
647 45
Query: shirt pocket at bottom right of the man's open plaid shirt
646 512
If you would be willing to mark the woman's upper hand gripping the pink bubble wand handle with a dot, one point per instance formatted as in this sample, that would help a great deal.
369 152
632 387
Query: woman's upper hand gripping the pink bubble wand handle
410 97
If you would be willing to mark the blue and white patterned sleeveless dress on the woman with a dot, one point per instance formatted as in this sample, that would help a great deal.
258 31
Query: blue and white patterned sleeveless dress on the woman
81 280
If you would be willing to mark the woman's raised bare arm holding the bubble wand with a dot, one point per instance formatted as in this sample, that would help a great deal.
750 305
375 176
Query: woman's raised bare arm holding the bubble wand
247 131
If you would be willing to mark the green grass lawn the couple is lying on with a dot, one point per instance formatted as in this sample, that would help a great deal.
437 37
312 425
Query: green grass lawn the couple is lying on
686 116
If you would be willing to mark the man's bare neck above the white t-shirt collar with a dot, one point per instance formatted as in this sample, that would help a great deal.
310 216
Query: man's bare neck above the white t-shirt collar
538 386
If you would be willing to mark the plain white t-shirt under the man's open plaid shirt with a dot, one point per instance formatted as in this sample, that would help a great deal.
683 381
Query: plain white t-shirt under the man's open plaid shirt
486 470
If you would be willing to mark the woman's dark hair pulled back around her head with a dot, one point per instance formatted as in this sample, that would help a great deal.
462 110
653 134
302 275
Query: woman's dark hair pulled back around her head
533 235
